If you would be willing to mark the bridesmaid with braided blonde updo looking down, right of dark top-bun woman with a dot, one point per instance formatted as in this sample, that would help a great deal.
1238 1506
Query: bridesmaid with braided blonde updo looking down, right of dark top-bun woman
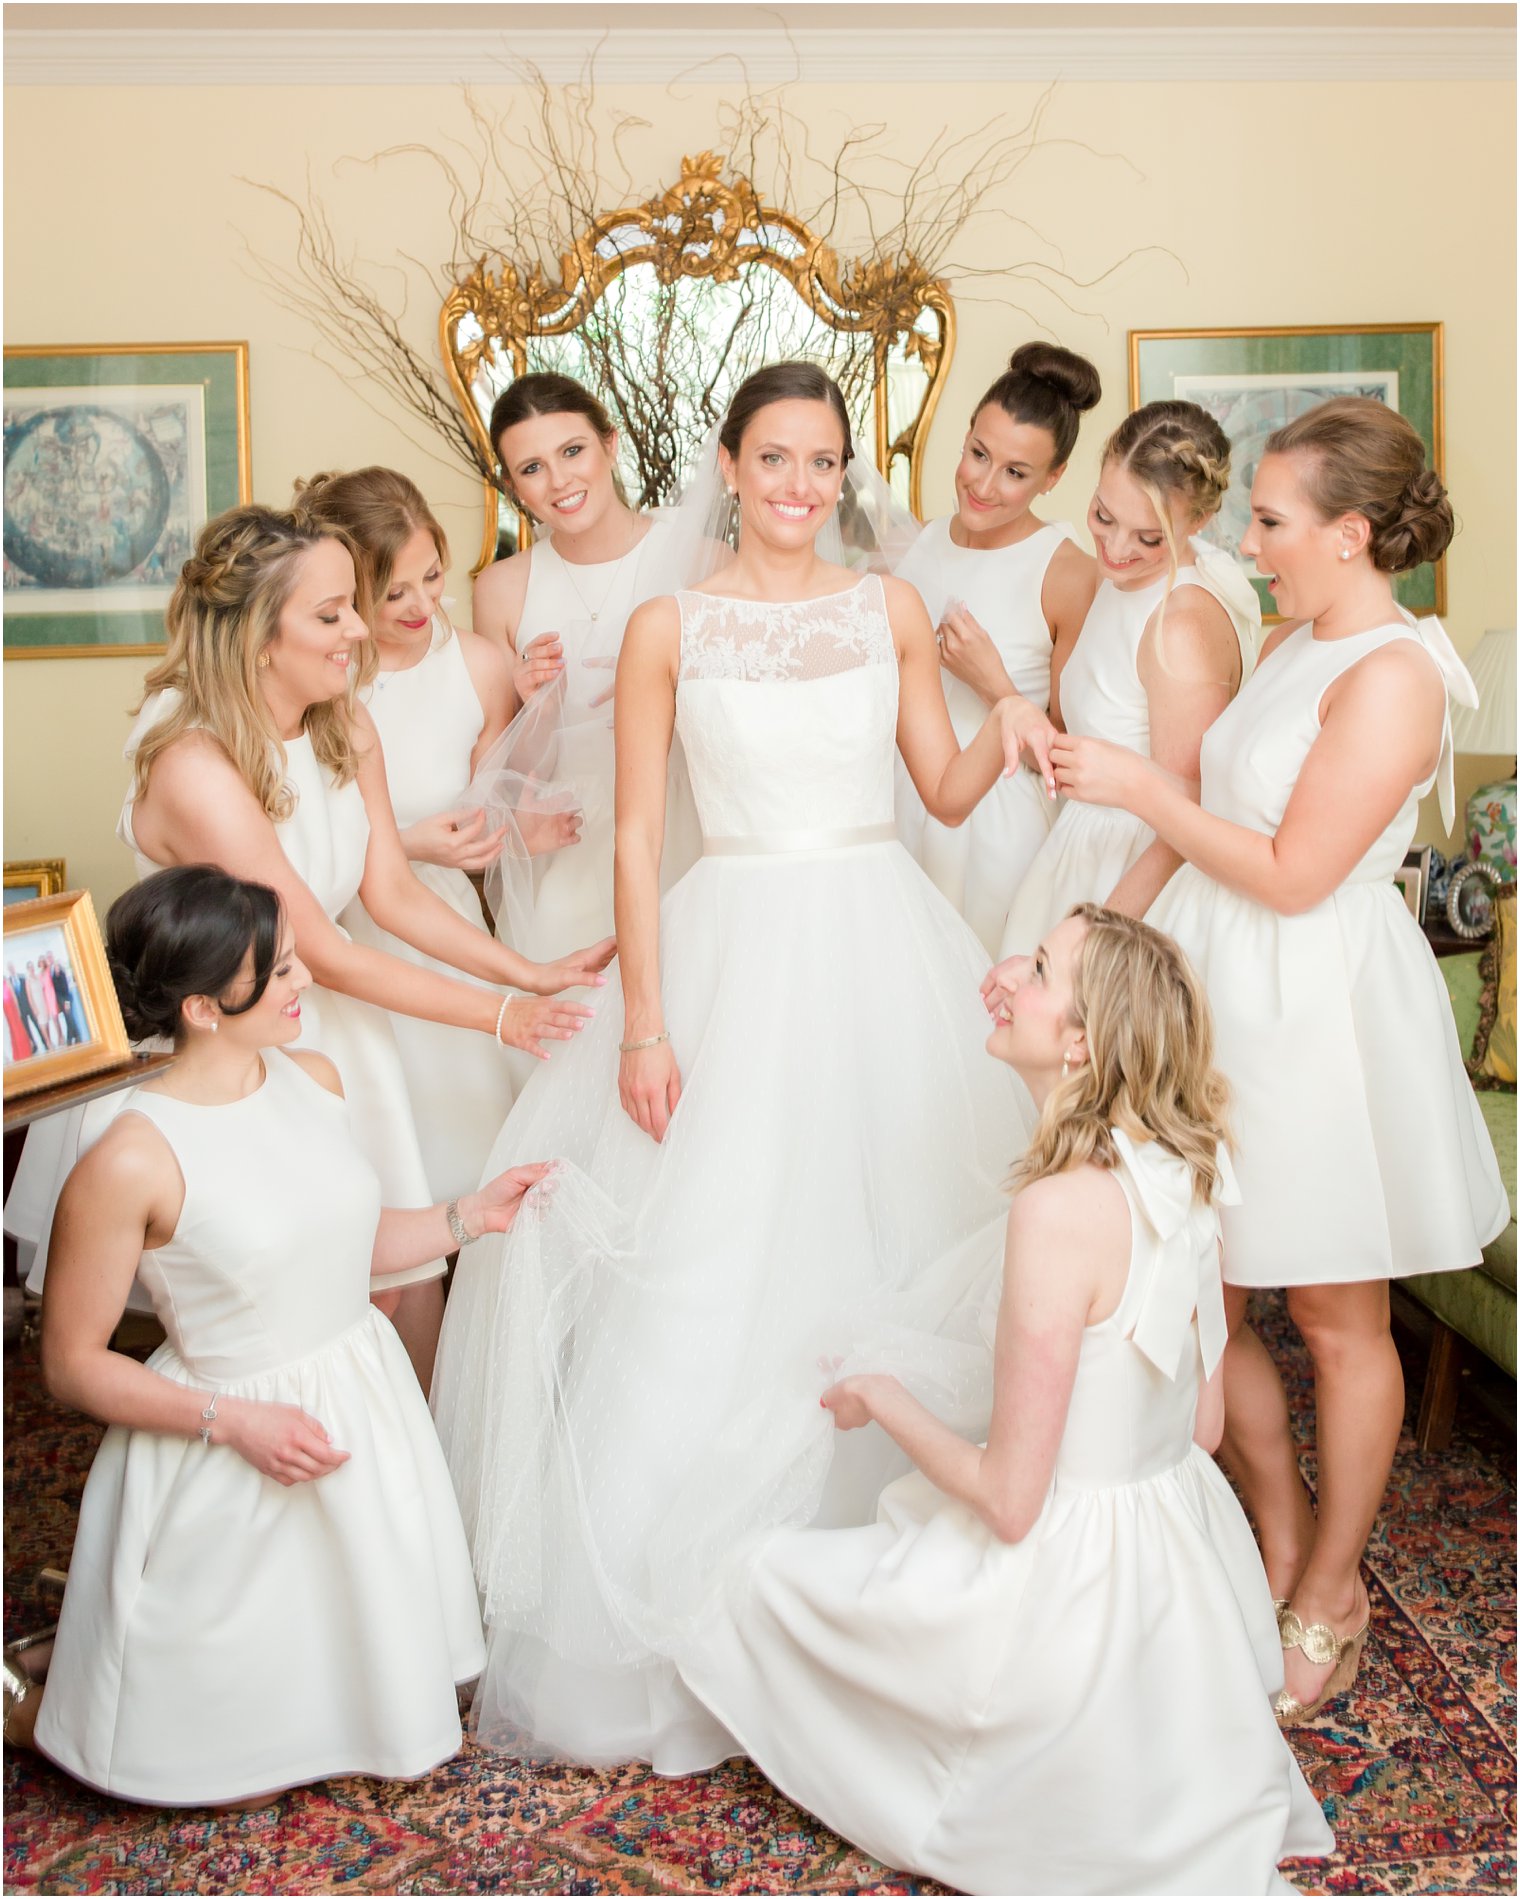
1164 476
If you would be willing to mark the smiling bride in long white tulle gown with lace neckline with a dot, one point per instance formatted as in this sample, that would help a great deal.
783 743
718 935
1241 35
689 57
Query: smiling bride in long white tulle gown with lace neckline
810 1142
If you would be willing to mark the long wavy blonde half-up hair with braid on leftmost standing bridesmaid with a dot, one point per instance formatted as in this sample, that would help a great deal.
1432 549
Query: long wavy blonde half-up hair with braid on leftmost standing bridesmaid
221 616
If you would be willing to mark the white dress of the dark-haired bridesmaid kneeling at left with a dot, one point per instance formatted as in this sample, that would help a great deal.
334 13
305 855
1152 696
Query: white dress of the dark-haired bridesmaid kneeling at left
225 1636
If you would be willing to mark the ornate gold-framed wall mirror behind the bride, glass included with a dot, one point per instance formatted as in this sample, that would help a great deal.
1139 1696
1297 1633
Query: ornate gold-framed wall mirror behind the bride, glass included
666 309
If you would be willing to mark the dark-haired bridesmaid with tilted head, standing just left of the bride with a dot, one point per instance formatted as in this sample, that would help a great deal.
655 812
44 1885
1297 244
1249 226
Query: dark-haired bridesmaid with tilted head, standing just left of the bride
560 611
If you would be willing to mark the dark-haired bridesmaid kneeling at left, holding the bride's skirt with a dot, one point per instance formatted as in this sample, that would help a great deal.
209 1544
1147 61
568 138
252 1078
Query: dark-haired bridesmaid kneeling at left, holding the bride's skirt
271 1583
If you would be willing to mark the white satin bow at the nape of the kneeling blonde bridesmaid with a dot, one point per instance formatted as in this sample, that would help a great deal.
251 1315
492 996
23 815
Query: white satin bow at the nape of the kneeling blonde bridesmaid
1187 1277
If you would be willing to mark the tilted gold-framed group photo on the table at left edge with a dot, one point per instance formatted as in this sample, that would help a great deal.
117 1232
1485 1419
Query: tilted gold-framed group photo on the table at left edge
62 1013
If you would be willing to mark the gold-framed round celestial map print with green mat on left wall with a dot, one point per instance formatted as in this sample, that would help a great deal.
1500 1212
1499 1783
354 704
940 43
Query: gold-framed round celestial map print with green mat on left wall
117 457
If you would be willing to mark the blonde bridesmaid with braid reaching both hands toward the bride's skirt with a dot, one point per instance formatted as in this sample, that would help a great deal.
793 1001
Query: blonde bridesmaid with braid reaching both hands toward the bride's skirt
252 755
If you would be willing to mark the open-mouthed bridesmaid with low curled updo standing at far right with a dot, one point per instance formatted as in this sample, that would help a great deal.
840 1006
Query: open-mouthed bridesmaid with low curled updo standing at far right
1363 1154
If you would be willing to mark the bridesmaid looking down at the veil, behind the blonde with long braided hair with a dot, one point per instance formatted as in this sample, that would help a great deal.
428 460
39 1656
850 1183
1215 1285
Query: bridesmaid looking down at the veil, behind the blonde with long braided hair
440 700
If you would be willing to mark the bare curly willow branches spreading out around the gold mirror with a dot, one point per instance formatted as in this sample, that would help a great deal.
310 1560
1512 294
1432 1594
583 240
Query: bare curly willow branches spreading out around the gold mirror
529 183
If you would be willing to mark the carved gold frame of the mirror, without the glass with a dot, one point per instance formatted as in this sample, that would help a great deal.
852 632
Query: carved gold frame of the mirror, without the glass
706 227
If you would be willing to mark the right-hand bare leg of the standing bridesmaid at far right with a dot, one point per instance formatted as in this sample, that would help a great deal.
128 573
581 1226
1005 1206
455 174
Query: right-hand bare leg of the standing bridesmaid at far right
1359 1399
